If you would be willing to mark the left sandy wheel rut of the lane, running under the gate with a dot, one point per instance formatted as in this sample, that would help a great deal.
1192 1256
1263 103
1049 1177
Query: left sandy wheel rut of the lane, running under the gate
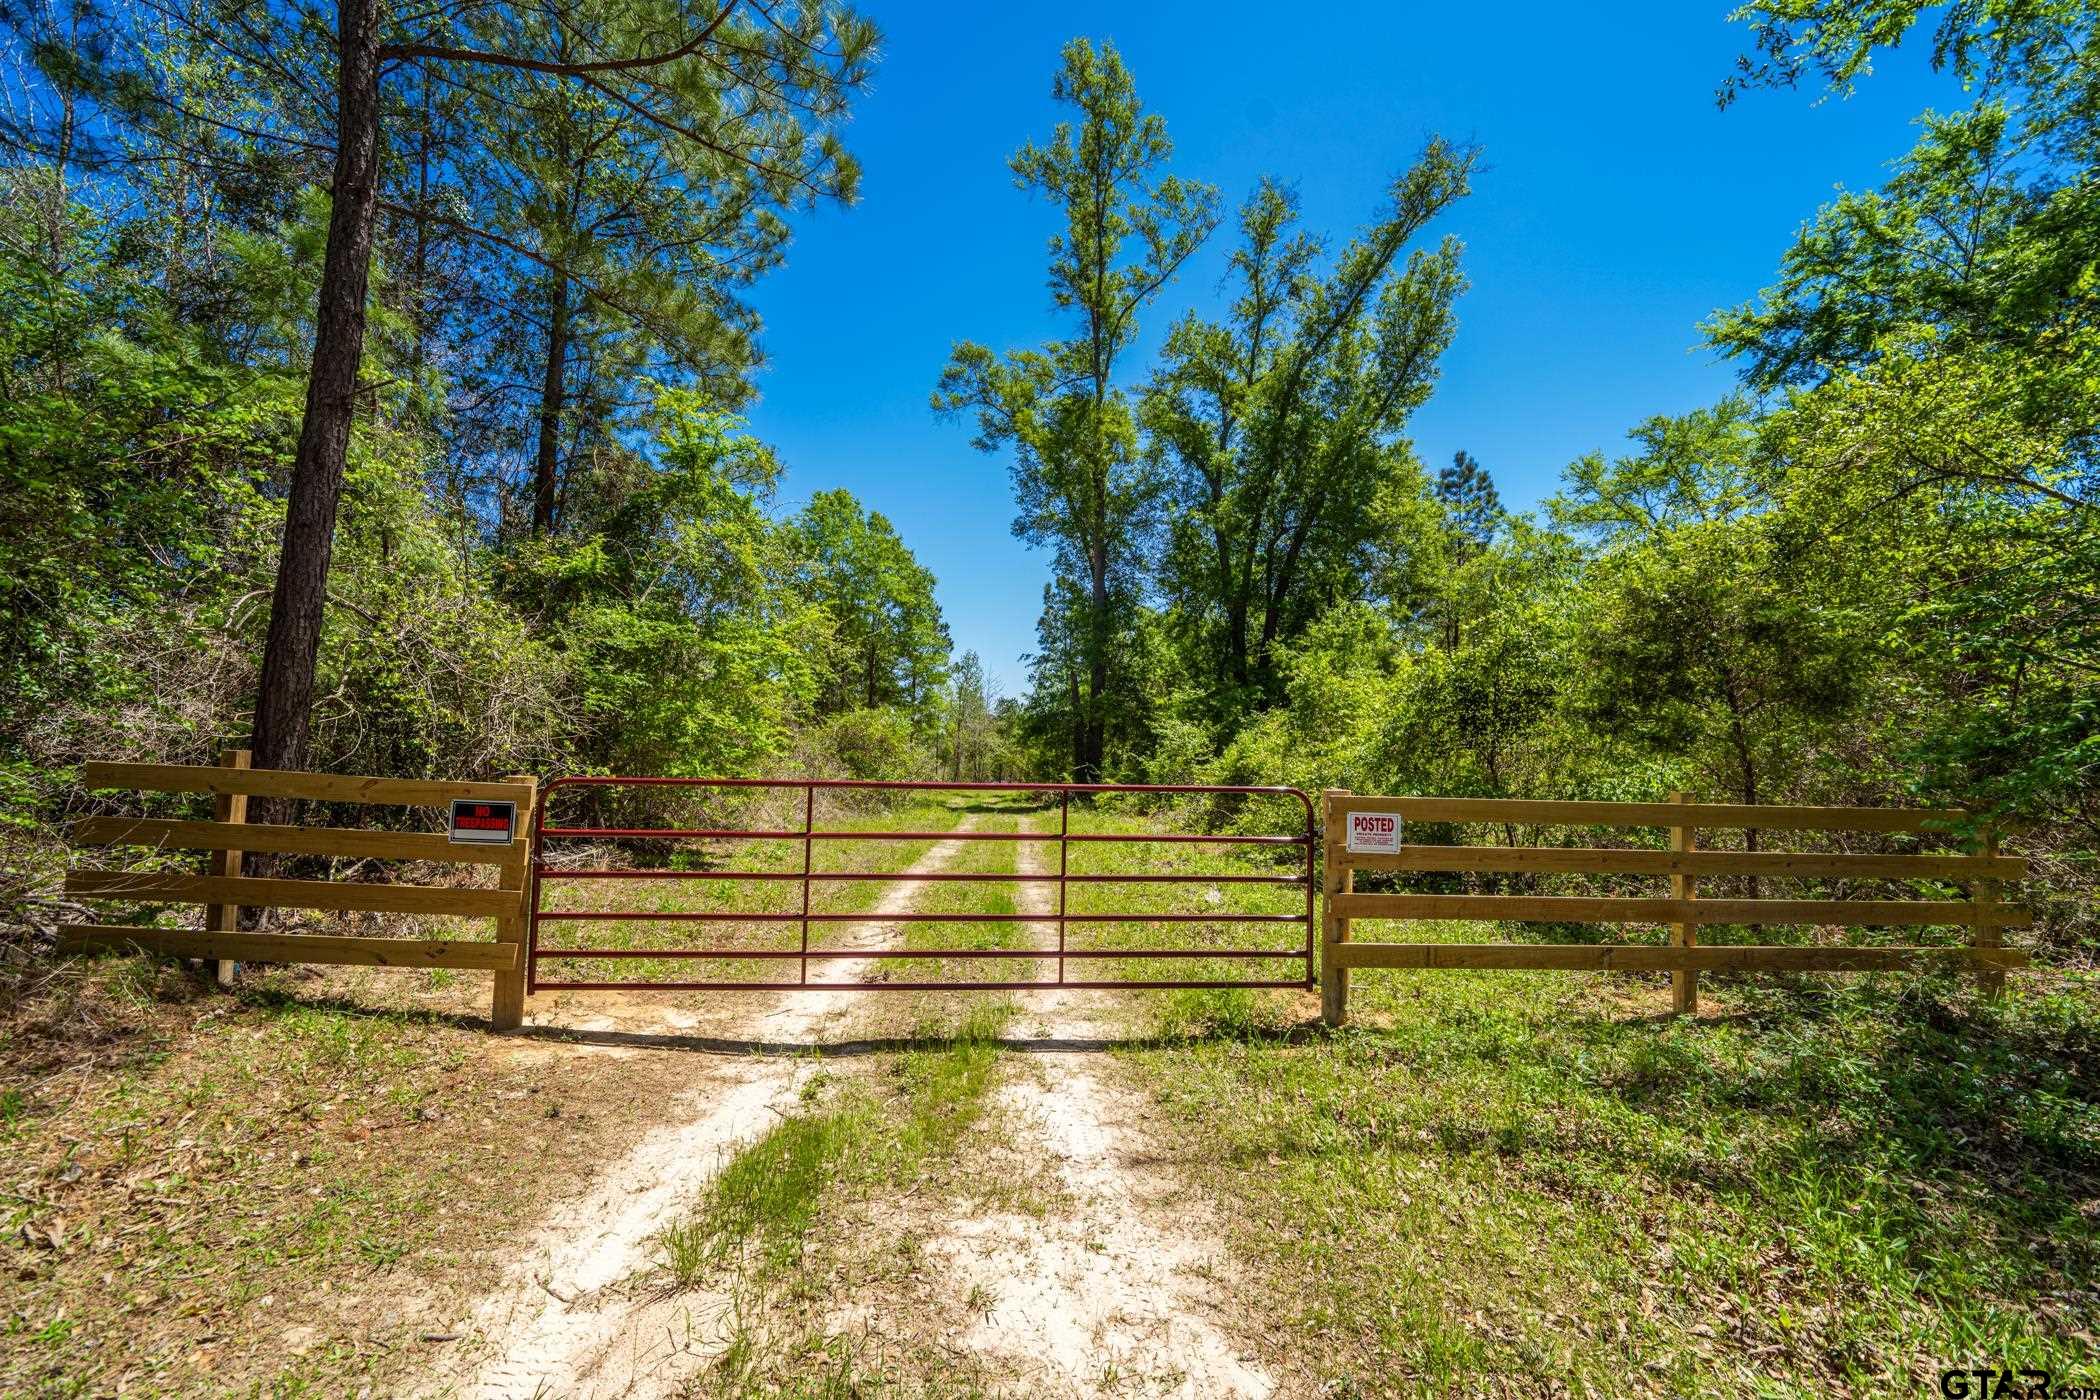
570 1319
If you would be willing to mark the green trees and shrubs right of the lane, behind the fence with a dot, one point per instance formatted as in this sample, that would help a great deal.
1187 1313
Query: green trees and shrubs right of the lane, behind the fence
1870 574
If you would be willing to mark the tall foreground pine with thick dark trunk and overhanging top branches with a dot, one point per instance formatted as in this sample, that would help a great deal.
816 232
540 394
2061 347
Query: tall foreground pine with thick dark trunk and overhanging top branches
755 85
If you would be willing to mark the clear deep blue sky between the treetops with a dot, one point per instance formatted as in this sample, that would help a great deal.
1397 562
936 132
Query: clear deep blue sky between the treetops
1618 209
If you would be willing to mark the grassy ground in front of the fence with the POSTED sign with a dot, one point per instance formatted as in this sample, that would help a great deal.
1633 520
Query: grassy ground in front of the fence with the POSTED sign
1540 1181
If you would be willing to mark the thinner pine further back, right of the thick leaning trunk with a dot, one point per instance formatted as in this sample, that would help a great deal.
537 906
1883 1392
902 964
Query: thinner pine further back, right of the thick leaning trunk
621 251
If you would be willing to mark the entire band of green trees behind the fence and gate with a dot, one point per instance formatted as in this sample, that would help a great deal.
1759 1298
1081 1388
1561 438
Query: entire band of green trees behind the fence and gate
373 385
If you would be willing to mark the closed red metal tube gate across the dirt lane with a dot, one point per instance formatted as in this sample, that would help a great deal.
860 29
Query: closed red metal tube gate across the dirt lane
801 878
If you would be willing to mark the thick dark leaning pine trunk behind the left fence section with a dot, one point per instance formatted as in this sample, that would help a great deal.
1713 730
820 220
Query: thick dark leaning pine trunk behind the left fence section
285 696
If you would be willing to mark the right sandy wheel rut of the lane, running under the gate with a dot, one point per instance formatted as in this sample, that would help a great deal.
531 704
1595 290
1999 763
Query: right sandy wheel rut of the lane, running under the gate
1129 1292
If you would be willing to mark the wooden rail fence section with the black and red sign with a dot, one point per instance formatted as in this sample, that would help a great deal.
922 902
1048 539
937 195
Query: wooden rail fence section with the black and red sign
224 891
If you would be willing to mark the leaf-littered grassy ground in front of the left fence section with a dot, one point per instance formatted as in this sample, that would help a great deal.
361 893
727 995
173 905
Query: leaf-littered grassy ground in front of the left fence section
280 1189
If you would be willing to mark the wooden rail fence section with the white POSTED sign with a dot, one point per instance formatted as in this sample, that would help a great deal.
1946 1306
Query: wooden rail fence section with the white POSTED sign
1683 912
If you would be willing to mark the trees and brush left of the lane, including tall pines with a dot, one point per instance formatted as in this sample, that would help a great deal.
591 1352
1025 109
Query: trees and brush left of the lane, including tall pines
371 387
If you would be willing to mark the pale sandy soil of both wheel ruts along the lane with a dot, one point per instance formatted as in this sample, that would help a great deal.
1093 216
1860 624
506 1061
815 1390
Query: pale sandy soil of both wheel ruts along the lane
1122 1290
